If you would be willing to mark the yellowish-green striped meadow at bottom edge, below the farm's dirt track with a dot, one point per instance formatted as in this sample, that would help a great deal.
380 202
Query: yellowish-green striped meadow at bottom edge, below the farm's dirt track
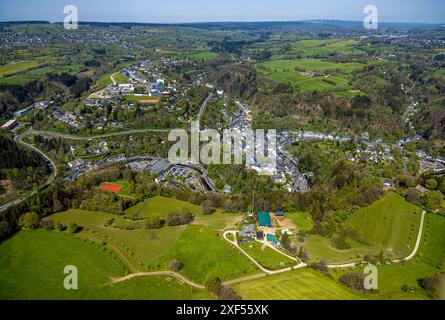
303 284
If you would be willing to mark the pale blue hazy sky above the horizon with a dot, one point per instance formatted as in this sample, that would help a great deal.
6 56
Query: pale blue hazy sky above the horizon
171 11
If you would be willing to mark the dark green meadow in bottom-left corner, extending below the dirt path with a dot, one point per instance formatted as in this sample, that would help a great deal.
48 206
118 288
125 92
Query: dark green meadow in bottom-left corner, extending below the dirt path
32 264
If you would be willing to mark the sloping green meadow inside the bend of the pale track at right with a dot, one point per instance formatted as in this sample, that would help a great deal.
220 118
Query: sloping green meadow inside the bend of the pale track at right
389 225
